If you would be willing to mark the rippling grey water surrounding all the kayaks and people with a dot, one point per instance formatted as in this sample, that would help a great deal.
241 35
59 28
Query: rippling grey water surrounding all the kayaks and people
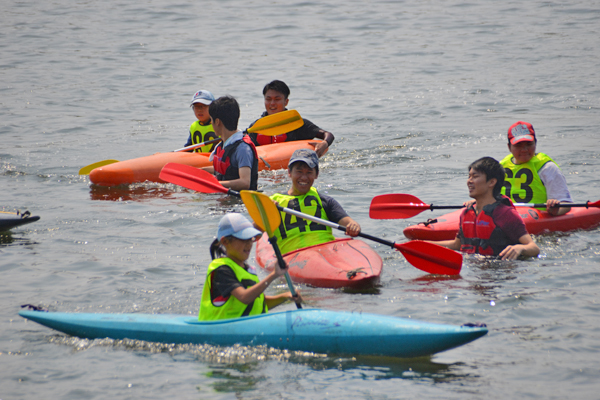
413 91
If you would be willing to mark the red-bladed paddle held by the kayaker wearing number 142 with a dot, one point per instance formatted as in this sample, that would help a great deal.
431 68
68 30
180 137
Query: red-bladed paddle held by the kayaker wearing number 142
429 257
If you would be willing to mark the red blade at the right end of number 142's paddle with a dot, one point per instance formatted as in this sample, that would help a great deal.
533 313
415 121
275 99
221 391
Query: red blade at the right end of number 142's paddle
431 258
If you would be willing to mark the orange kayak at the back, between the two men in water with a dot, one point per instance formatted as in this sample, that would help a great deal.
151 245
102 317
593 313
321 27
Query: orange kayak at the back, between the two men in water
270 157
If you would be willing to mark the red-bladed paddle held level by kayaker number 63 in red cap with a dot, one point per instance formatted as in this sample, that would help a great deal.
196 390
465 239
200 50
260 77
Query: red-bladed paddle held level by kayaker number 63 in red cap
400 206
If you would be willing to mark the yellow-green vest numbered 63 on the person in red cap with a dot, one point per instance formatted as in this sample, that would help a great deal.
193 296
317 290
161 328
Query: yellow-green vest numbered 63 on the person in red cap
522 182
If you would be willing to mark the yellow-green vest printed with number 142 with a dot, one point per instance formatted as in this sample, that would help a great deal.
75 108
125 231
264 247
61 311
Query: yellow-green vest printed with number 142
296 233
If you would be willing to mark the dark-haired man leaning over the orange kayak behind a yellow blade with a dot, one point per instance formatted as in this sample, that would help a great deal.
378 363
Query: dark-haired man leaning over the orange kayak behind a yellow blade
276 95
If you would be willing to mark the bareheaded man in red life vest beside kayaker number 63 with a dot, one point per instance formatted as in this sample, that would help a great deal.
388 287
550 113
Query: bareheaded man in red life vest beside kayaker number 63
491 226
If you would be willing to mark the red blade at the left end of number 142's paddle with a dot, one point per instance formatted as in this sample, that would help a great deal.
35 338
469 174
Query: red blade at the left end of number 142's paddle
191 178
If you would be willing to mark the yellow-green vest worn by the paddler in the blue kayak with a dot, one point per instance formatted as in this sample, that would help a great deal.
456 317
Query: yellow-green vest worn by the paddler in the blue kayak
230 307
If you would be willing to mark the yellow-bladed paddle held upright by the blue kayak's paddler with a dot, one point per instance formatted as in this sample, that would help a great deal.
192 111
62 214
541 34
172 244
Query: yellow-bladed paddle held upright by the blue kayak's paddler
265 214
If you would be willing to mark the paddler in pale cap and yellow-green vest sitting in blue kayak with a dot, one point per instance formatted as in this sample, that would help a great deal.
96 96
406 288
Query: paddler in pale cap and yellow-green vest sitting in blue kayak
232 289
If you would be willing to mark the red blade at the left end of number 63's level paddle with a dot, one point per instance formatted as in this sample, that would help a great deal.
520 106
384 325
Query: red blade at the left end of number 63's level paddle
396 206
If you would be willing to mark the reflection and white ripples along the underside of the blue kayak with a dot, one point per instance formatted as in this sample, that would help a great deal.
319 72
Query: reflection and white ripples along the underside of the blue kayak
234 364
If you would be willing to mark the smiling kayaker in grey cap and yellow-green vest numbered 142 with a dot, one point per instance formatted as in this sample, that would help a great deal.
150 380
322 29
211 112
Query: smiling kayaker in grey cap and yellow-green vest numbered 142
296 233
